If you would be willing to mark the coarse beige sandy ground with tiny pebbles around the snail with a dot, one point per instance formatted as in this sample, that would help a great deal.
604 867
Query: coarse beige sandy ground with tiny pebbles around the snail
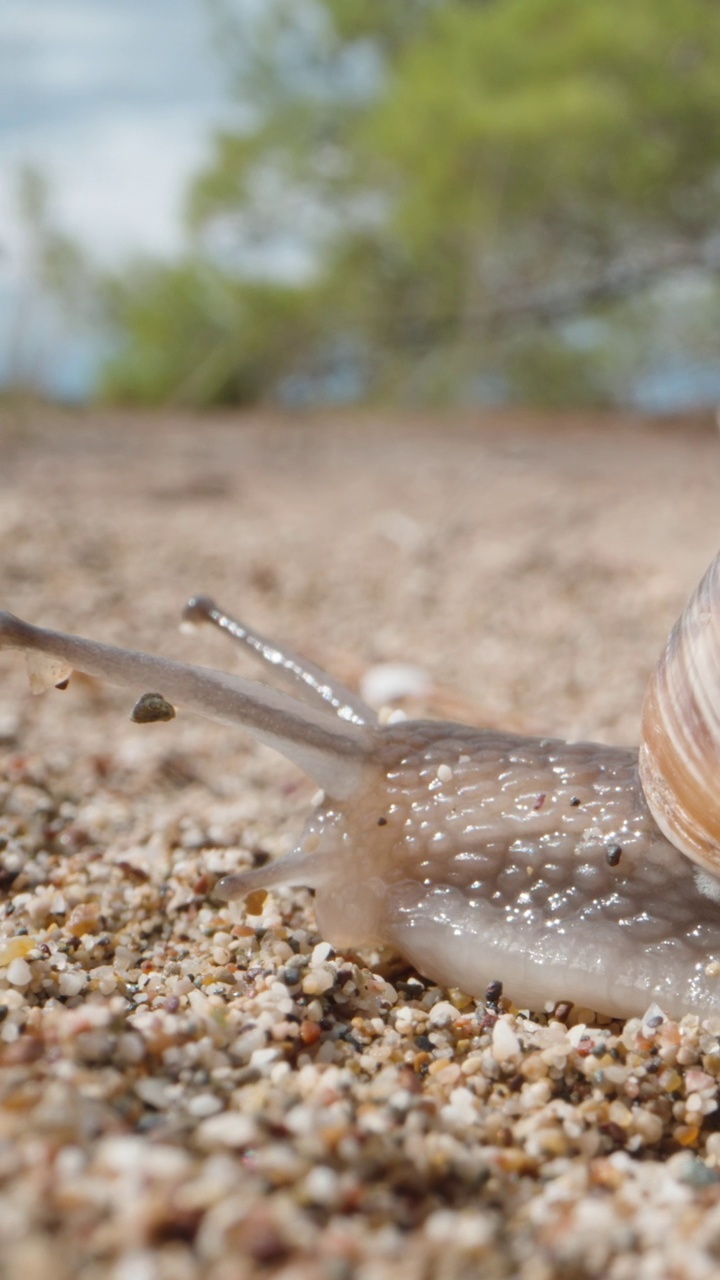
166 1080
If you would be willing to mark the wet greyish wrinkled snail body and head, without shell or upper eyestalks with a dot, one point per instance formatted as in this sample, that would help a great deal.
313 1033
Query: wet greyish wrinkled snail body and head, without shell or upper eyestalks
486 867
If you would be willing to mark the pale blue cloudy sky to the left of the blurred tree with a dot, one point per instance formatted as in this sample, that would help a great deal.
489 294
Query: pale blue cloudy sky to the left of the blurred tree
116 102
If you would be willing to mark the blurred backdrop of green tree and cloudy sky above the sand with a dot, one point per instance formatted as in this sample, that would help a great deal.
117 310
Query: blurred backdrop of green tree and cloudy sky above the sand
311 203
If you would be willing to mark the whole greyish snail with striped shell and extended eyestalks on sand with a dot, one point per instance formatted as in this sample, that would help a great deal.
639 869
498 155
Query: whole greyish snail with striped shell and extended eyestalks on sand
567 871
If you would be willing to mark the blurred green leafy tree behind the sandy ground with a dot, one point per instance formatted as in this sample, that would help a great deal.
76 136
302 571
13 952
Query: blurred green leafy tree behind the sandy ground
467 177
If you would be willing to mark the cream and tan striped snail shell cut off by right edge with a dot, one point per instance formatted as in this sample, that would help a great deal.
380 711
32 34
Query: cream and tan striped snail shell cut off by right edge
680 758
